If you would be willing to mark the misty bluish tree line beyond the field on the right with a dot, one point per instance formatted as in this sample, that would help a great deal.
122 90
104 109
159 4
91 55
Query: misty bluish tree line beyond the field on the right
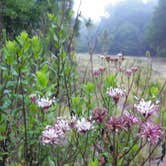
133 27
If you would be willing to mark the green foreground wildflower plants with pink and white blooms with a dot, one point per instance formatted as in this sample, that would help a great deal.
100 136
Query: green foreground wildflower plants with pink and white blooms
50 117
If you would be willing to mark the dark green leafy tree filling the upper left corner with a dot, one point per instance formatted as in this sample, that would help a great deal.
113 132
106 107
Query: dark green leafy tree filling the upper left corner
20 15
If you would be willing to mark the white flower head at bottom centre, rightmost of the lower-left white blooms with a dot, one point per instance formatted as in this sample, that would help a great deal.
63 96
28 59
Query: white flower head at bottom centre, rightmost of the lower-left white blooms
83 125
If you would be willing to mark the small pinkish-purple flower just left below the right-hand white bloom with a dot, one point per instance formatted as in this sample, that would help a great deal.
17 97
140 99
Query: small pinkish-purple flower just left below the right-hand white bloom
129 119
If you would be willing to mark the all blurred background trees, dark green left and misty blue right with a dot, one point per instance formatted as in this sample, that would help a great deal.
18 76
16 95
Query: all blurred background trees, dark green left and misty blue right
132 27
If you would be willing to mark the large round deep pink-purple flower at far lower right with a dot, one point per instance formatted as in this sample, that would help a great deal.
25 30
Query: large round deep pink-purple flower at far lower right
150 131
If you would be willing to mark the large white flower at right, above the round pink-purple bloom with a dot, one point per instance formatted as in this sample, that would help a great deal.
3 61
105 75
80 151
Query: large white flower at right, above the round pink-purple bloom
147 108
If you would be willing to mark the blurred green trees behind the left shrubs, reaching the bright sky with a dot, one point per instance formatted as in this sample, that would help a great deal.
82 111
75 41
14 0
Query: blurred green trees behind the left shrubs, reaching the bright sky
31 15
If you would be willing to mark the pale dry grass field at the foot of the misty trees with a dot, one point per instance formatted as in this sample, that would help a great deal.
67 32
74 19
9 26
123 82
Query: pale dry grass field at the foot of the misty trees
158 64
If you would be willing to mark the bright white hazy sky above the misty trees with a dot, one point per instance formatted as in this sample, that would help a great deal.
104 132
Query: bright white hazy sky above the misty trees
95 8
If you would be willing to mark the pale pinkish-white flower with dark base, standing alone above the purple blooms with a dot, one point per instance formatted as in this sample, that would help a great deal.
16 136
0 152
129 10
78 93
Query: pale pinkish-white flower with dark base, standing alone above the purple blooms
115 93
